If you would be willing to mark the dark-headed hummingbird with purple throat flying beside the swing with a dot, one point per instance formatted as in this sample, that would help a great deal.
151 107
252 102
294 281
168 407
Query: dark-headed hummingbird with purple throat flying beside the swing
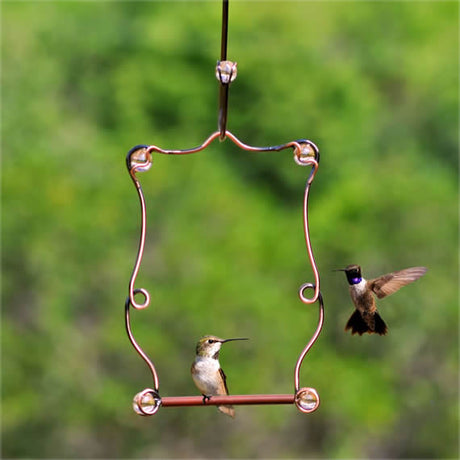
366 318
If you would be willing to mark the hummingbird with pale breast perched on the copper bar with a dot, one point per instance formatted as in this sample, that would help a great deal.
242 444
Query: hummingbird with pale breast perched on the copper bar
207 373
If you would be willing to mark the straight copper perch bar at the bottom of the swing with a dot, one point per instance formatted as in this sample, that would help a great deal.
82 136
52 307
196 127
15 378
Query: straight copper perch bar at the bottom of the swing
174 401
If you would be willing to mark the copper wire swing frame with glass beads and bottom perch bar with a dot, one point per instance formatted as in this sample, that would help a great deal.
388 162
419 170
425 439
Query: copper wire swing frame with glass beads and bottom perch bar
148 401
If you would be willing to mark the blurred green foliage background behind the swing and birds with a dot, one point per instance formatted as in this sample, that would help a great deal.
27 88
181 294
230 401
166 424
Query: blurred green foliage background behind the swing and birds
373 84
